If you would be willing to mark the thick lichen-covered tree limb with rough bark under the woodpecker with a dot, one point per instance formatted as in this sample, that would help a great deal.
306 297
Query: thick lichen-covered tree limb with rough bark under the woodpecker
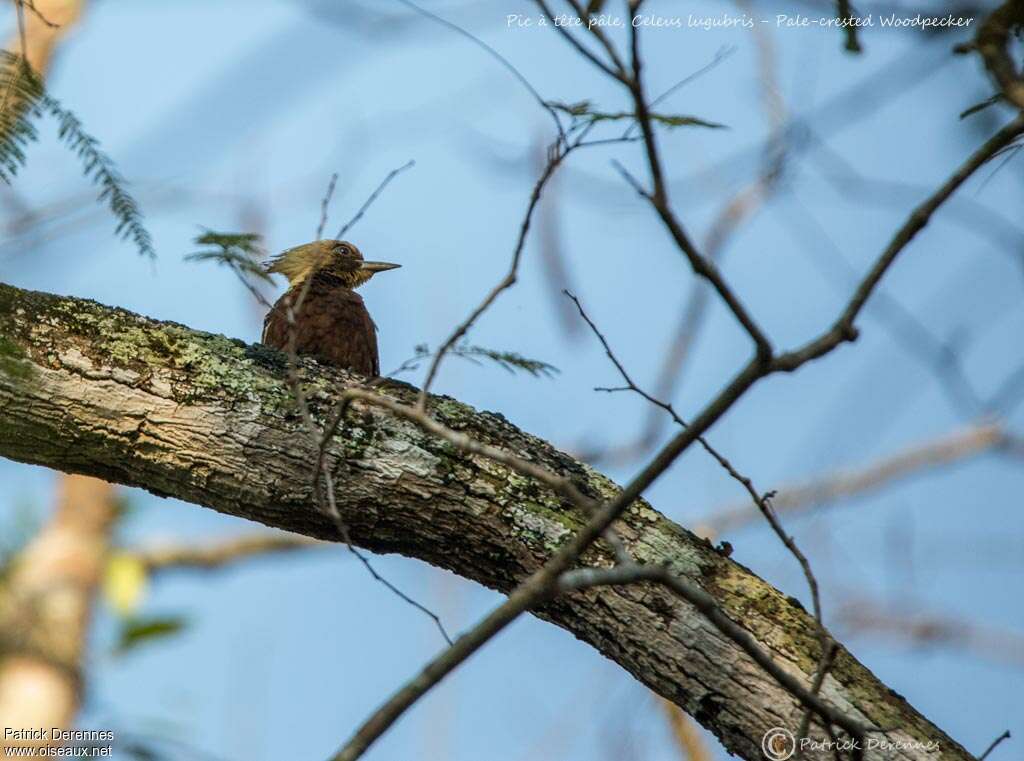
91 390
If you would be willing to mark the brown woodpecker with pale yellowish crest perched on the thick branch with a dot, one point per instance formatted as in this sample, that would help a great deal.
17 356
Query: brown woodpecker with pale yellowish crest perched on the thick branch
332 324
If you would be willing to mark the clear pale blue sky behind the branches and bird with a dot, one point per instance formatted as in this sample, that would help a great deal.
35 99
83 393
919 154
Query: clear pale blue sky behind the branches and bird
234 116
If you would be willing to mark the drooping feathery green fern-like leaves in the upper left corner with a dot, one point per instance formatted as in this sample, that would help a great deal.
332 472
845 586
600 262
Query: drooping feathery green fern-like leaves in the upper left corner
23 100
